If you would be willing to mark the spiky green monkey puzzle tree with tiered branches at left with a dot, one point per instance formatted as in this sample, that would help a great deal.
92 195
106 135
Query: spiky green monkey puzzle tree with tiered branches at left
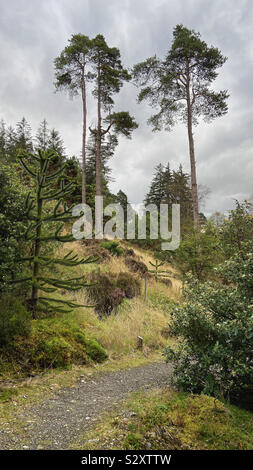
41 216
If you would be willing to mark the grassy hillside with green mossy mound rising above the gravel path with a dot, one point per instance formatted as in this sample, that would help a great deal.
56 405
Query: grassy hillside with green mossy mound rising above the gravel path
82 337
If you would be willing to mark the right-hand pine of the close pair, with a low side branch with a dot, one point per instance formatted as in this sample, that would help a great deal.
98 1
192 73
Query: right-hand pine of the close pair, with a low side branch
109 77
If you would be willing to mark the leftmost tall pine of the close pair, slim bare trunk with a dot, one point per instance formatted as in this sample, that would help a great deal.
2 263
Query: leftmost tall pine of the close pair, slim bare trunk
71 75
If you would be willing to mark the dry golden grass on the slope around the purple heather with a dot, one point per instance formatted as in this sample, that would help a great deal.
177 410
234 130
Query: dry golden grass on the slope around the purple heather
118 333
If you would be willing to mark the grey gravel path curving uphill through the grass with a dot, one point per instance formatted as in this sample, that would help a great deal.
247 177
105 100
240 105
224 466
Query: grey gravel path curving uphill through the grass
58 421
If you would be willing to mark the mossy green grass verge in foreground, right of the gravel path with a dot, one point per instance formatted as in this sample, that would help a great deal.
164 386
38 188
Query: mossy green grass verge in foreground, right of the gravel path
164 419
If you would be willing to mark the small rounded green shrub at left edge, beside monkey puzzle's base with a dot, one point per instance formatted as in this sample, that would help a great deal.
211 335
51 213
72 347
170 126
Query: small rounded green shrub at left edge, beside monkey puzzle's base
14 320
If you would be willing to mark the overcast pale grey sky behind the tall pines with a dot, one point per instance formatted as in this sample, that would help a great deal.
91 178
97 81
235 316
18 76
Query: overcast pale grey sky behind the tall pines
33 33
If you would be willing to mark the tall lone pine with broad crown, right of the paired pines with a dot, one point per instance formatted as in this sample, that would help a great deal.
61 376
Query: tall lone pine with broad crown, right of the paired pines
179 86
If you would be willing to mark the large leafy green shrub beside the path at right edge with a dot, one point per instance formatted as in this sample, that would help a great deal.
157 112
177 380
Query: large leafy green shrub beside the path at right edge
215 355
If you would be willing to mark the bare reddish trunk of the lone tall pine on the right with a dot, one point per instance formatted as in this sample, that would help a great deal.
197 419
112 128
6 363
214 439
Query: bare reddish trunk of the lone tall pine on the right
194 186
